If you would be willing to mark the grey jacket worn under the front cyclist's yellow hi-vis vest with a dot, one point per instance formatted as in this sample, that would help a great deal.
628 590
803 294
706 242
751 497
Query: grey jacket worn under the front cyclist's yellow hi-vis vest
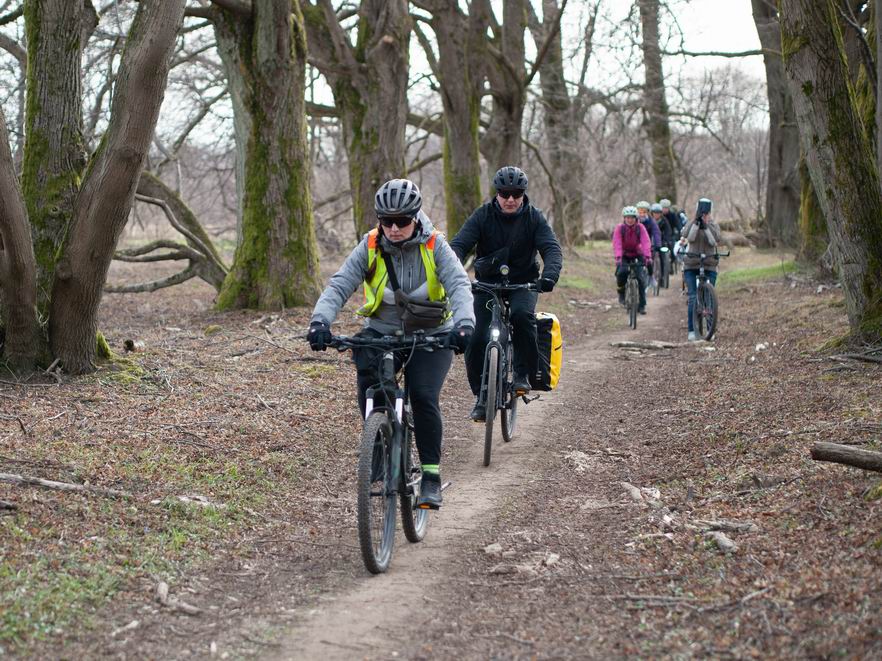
408 265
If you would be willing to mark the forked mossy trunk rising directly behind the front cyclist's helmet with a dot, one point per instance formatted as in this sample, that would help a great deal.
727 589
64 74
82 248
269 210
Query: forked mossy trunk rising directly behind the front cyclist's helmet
369 83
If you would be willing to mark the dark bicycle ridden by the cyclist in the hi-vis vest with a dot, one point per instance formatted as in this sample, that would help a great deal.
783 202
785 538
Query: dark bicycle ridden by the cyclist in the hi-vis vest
388 465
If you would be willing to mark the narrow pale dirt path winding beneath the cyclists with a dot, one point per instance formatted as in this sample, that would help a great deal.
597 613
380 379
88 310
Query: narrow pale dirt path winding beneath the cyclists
368 619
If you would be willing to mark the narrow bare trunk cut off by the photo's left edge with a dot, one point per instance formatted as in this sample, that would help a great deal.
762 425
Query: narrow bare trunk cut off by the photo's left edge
18 277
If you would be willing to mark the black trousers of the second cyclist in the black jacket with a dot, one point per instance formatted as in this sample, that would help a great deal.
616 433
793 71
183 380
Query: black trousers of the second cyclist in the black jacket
523 320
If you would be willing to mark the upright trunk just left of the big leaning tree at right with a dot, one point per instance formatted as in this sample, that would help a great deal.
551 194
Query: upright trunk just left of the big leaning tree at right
780 225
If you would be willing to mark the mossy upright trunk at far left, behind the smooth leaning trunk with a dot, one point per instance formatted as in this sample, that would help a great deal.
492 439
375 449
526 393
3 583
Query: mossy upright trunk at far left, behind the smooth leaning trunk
55 153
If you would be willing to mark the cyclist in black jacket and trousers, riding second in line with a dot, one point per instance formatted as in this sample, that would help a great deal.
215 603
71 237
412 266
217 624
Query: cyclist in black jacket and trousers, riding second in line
508 230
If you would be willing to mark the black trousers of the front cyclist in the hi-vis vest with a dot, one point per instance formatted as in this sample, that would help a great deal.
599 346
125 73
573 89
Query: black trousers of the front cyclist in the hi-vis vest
425 372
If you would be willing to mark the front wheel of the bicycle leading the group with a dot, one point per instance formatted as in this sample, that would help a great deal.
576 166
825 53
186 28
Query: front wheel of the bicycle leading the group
376 502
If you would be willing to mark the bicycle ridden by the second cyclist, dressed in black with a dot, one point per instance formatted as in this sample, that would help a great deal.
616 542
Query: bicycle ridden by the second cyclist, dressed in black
498 375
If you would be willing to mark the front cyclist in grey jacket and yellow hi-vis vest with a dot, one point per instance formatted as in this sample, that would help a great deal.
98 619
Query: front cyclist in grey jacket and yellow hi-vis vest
426 269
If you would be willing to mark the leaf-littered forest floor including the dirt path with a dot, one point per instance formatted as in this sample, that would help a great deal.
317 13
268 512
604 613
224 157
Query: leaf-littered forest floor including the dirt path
236 447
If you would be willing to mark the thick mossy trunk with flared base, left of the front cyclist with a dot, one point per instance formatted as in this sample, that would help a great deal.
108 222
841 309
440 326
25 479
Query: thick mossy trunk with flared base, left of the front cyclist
276 263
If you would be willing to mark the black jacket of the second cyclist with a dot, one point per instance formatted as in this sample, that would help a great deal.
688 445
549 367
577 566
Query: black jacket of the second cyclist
511 239
